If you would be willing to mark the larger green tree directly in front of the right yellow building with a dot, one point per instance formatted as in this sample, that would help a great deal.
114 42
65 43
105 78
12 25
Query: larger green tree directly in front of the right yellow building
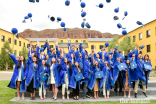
126 44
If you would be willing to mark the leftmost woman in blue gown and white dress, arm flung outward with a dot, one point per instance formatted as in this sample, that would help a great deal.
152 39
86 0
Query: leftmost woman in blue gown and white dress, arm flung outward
18 78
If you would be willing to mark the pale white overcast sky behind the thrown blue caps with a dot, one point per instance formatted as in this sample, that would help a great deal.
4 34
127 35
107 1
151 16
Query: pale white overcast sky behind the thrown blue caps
12 13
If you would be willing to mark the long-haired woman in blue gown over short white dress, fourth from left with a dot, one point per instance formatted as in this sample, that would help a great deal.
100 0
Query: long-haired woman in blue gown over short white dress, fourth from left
54 74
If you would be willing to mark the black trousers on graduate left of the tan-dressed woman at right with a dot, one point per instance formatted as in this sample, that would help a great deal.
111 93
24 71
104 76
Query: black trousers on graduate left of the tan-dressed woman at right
119 83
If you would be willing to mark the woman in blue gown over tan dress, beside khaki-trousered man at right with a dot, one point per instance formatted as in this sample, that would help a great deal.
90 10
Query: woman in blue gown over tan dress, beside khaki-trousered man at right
126 75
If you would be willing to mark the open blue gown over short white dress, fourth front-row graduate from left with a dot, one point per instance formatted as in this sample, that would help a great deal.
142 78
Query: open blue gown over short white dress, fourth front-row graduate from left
56 74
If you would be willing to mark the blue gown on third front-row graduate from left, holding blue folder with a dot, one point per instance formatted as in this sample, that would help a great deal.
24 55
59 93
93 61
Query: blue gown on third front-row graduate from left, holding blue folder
42 70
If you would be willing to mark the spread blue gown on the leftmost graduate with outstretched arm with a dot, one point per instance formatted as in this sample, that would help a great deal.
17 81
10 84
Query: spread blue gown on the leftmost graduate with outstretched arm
15 75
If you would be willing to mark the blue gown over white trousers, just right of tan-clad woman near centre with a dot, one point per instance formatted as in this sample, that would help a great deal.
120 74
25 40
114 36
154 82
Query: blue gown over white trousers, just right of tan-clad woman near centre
107 73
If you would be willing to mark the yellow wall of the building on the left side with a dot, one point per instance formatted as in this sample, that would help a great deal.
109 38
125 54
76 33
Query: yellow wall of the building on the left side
13 37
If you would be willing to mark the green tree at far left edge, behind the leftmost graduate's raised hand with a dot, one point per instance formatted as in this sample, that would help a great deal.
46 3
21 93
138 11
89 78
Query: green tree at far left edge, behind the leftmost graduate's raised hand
5 58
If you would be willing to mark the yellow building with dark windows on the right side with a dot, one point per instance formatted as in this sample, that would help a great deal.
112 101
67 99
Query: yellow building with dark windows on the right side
145 36
